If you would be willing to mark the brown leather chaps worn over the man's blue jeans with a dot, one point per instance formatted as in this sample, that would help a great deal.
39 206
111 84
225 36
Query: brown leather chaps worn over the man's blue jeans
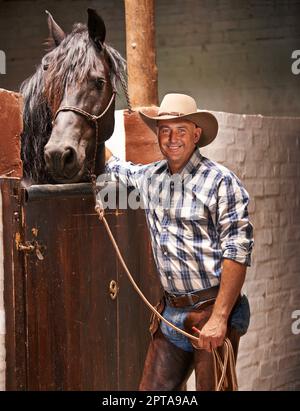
167 367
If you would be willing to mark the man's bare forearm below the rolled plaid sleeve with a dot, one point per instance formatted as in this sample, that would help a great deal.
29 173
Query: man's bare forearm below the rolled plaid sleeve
232 280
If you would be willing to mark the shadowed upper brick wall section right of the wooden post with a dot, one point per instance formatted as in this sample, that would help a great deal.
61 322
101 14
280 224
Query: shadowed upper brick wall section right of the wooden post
233 56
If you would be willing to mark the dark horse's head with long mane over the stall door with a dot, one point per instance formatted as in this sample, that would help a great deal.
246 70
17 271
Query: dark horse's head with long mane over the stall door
69 104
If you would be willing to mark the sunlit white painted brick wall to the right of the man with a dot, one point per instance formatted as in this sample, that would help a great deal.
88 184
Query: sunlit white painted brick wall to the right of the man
265 155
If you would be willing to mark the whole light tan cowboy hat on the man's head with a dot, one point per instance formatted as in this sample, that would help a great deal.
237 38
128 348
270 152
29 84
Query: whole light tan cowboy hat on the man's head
181 106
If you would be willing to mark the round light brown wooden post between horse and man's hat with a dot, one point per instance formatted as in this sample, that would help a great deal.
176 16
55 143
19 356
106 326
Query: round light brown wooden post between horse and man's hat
140 48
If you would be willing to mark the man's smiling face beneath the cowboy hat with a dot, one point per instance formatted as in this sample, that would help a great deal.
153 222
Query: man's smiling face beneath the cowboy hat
177 140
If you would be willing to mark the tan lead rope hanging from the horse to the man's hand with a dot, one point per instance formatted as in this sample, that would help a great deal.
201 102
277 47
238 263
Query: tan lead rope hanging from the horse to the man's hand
220 367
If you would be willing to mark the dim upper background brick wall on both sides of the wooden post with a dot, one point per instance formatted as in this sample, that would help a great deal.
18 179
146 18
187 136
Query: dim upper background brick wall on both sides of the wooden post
232 56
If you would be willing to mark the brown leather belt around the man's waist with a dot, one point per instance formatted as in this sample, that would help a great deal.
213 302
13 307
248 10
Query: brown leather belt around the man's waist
186 300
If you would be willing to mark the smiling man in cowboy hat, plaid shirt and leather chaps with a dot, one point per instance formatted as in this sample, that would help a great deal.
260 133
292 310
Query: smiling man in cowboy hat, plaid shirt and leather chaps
202 239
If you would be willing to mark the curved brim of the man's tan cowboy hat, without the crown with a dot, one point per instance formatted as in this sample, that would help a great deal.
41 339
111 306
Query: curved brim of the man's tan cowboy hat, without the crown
204 119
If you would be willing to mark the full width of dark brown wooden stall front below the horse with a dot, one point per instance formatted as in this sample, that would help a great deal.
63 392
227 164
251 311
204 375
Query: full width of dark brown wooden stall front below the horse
64 331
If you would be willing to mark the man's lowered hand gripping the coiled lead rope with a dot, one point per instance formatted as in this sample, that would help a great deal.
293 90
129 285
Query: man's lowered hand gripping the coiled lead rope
212 334
